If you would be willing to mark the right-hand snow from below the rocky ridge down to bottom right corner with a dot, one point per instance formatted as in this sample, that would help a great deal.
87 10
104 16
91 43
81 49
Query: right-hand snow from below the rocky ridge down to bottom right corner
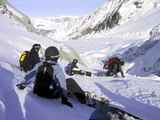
135 44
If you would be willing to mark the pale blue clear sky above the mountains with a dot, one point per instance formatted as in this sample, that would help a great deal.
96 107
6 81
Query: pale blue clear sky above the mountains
57 7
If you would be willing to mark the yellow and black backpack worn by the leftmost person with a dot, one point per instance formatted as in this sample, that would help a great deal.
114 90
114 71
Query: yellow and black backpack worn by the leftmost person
24 57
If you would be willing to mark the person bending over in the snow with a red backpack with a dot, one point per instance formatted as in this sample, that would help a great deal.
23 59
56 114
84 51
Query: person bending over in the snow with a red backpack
114 66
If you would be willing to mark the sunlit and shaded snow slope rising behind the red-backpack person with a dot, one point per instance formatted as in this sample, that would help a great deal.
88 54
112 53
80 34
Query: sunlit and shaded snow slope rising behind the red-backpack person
132 40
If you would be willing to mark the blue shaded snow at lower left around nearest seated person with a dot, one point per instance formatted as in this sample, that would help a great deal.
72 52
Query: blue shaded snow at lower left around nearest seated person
22 105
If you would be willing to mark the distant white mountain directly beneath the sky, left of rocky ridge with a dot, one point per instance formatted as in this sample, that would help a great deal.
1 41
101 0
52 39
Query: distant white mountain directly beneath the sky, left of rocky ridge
55 27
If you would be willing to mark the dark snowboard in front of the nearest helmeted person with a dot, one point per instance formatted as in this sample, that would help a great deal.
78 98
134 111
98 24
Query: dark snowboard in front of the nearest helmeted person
92 100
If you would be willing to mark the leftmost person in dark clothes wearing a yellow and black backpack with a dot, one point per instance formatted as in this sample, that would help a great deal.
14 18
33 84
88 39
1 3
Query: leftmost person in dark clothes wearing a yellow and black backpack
29 59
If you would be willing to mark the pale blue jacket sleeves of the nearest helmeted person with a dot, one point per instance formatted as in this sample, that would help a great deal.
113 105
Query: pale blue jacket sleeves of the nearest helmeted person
57 72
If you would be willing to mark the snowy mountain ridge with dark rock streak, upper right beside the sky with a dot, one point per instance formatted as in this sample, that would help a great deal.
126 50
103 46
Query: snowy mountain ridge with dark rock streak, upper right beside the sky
105 17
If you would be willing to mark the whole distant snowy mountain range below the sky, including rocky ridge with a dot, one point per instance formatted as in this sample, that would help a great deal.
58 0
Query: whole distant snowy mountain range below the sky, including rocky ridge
112 13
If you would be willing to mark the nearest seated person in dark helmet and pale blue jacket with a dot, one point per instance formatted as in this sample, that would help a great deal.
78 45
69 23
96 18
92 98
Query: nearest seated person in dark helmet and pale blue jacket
48 78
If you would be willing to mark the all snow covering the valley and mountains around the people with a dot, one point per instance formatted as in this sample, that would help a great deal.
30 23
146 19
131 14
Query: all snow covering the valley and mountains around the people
135 39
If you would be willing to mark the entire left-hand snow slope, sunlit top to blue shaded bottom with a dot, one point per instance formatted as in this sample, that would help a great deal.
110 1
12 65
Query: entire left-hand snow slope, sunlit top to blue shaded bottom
20 105
